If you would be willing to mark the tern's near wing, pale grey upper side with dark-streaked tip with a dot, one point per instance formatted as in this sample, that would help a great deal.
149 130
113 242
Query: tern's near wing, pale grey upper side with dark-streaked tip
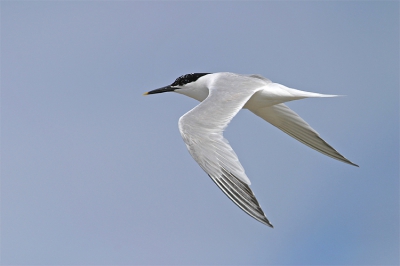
202 130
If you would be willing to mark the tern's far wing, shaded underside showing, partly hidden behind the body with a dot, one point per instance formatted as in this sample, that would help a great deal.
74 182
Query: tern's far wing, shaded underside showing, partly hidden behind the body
291 123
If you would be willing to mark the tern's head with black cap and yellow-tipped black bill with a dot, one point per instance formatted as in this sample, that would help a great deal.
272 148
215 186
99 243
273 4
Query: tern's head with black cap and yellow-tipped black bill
190 85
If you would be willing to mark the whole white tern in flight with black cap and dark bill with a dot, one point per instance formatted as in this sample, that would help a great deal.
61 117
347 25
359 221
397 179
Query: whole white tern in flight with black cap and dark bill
222 96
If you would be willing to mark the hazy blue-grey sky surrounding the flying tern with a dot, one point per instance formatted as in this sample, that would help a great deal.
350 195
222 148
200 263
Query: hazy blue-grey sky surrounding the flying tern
92 172
